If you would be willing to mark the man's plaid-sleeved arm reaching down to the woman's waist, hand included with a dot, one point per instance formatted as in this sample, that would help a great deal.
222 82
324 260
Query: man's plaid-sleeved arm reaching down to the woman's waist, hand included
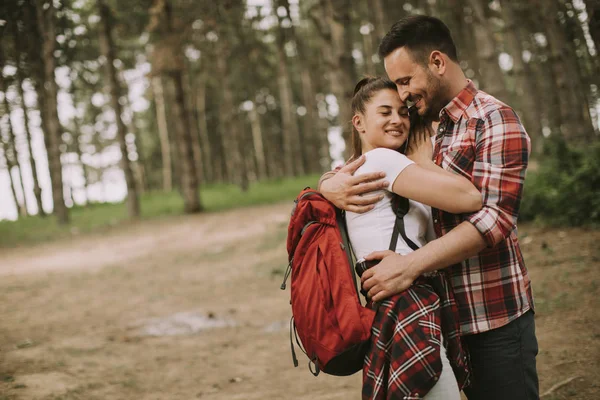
502 153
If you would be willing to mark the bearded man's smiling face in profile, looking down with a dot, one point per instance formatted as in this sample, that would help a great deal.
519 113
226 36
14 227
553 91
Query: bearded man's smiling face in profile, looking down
416 83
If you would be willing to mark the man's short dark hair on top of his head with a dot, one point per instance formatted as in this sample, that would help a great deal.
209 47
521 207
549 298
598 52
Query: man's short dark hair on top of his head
421 35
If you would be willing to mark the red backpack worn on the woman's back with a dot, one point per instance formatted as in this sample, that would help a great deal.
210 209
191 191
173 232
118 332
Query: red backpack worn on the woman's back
328 317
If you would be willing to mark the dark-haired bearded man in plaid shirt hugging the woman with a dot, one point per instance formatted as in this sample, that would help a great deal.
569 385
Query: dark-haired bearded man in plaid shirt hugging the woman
482 139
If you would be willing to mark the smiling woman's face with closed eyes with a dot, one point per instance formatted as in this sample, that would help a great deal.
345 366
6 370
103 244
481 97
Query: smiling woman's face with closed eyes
384 123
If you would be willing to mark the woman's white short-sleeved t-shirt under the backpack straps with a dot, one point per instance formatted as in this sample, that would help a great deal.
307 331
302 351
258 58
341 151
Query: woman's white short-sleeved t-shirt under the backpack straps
372 231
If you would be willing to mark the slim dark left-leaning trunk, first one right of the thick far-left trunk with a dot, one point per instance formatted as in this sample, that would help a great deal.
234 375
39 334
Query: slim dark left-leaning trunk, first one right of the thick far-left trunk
114 89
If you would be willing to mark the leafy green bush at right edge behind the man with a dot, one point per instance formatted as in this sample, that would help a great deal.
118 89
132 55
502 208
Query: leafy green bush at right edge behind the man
565 189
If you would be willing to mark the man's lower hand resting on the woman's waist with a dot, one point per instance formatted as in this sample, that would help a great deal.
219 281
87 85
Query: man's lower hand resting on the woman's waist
391 276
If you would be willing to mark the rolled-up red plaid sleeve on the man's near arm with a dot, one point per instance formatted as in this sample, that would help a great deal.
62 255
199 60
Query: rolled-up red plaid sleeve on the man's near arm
502 153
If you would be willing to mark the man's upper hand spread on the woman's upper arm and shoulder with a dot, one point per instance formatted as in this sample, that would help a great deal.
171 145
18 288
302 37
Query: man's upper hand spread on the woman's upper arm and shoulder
344 190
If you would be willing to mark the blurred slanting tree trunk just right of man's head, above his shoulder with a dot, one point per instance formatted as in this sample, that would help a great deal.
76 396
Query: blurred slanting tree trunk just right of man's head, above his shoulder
491 73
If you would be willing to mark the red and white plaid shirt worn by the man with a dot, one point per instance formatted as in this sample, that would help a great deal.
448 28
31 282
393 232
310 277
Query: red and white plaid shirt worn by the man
483 140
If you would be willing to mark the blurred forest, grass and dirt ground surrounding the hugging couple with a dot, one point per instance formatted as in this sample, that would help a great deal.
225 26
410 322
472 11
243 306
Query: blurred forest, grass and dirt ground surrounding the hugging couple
125 124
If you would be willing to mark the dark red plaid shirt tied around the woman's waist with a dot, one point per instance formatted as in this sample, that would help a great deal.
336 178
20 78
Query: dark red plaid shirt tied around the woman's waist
404 359
